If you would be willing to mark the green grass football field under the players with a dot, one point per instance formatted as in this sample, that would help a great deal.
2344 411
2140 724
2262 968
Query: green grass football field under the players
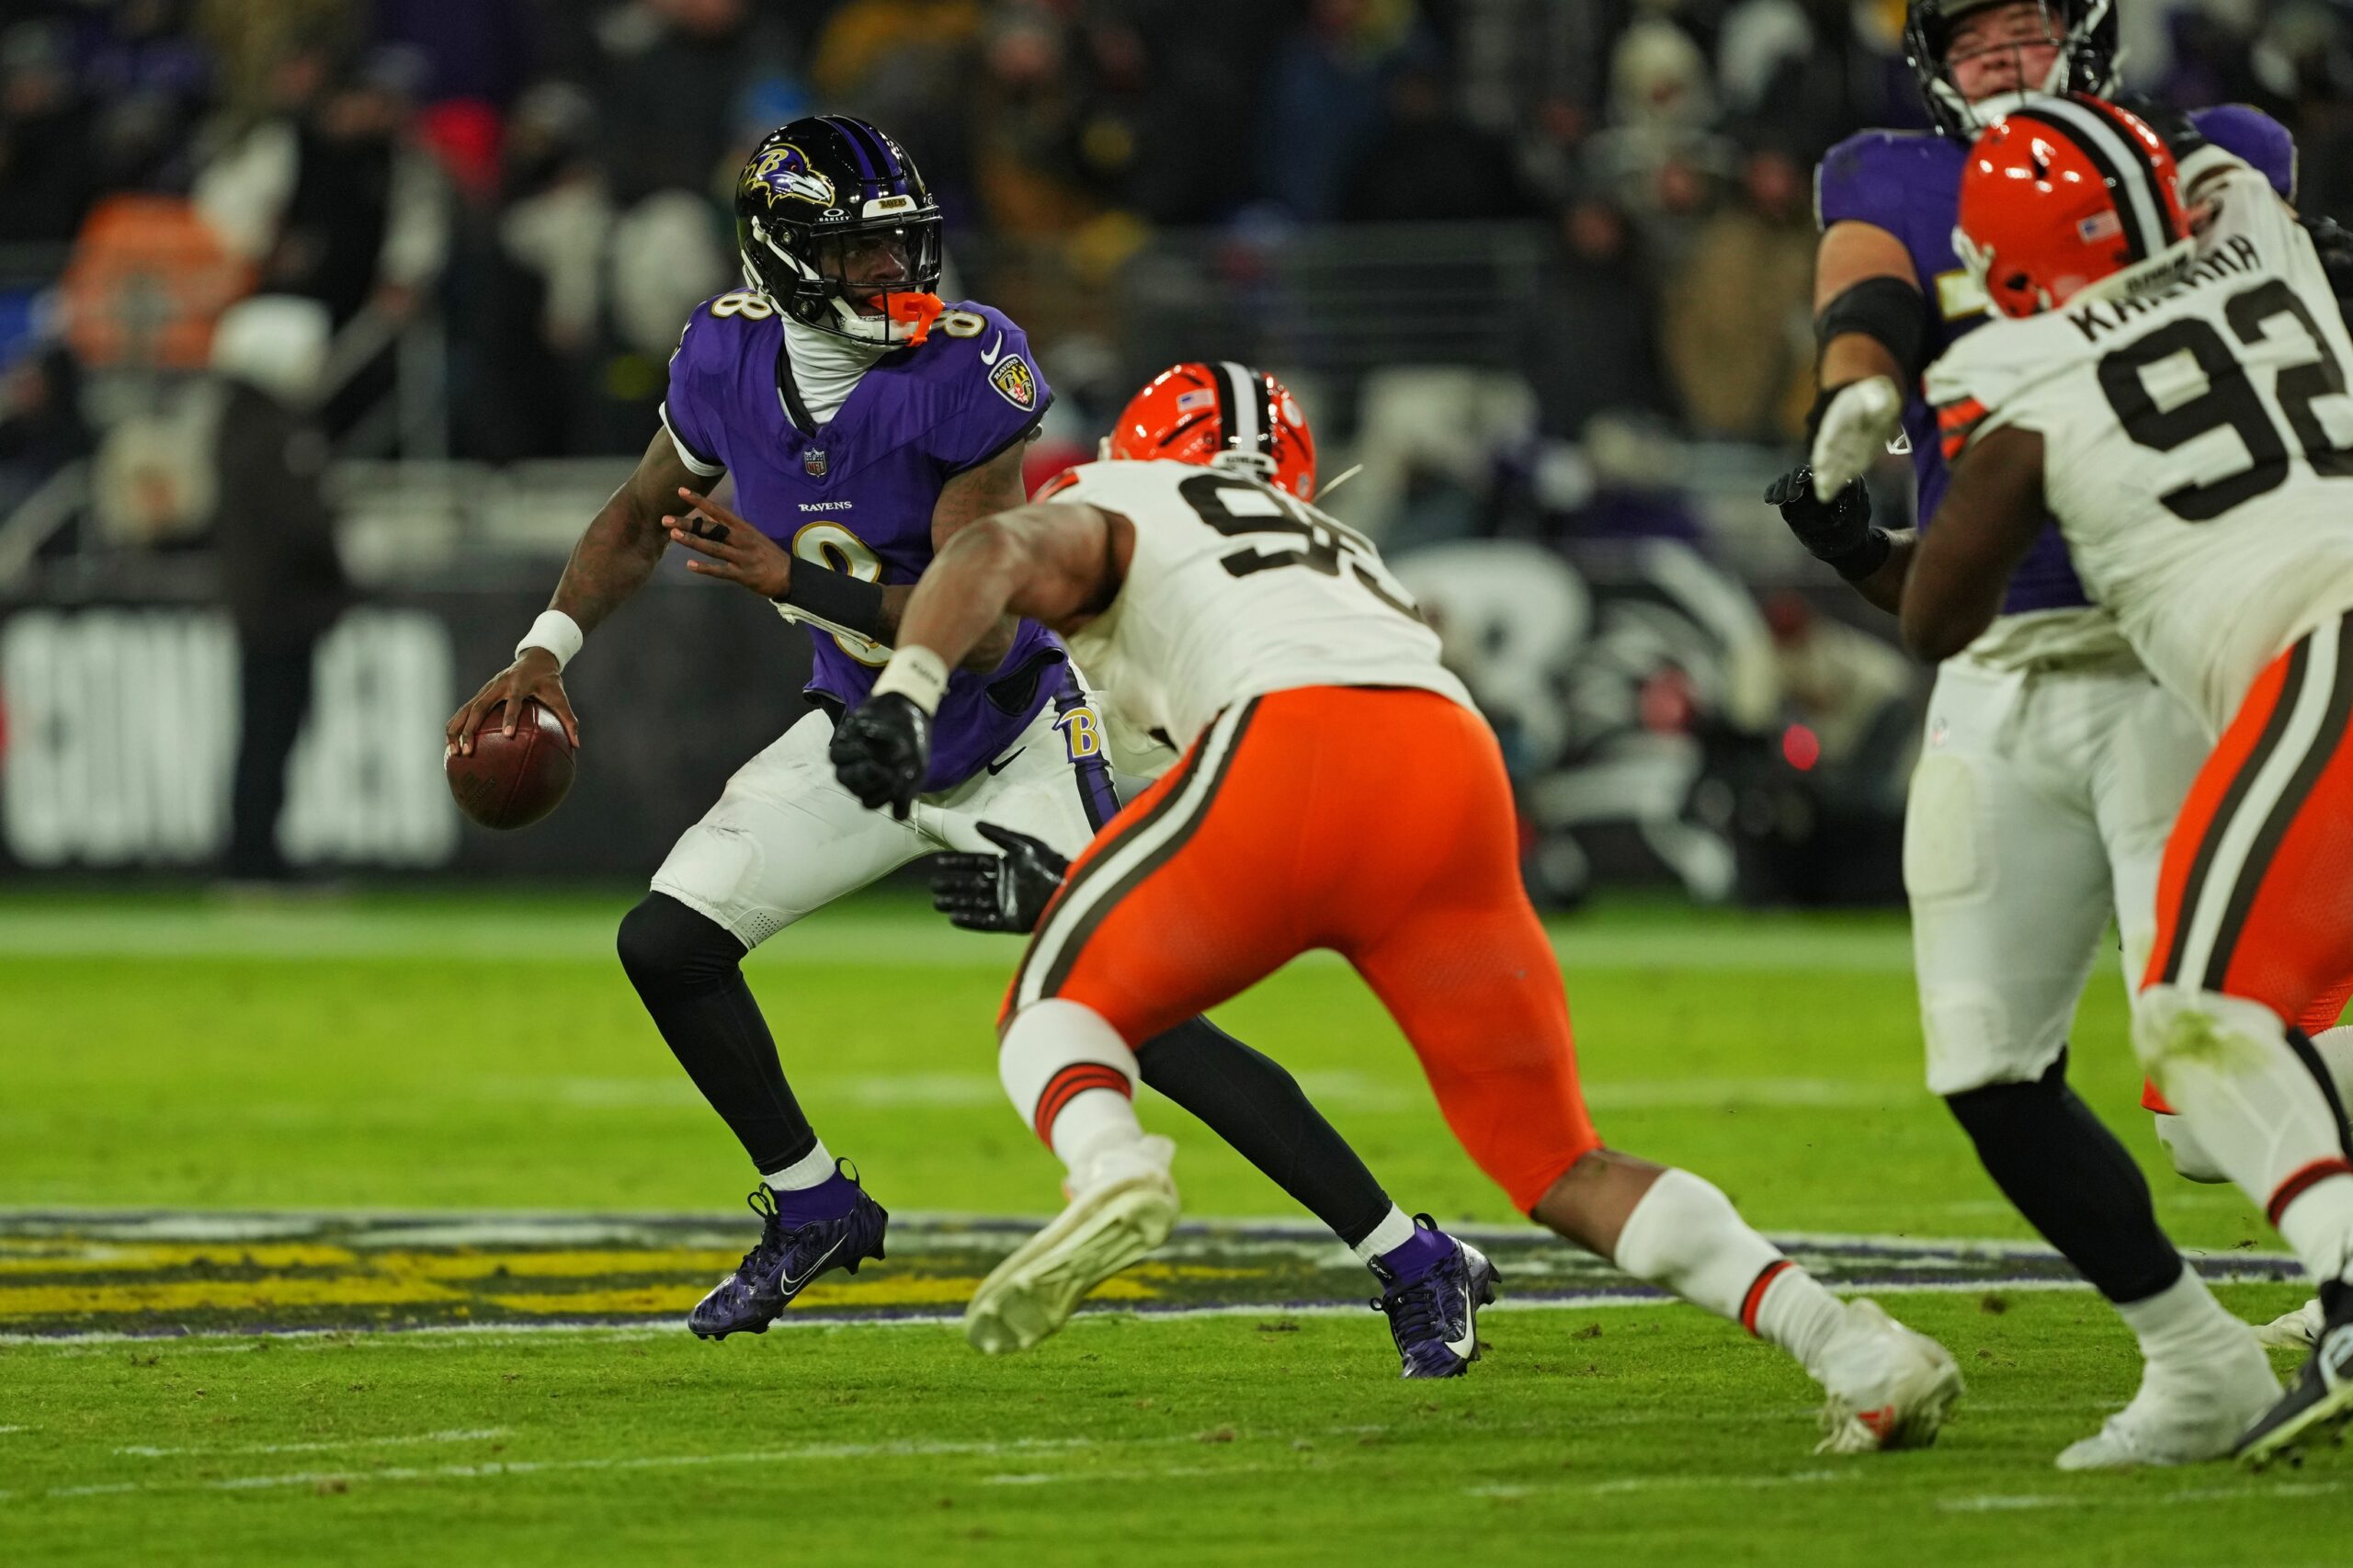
472 1054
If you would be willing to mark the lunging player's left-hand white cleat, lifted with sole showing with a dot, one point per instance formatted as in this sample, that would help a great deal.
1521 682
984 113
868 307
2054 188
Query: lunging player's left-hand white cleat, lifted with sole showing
1121 1209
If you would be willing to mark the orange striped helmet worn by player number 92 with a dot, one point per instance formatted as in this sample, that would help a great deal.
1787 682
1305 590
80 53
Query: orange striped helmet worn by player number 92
2069 194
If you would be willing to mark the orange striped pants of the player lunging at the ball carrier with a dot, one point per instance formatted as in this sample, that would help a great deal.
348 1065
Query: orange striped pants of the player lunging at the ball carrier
1368 820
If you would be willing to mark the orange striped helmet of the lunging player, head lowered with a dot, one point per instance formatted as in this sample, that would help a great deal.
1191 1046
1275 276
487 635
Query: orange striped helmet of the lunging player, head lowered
1220 416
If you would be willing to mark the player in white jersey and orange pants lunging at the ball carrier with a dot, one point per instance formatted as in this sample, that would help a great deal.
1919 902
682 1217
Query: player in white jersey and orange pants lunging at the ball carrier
1338 790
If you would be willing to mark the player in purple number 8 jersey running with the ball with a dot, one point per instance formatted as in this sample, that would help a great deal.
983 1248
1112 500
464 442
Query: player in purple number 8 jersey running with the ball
865 423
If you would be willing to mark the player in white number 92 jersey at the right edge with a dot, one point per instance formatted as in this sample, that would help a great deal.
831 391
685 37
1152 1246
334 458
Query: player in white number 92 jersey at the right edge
2180 406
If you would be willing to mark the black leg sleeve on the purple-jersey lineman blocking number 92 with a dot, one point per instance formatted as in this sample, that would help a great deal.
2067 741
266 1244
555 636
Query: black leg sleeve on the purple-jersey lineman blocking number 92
2074 1183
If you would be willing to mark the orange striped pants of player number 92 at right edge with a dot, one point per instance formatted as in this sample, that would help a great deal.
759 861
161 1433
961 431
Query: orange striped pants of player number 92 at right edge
2258 886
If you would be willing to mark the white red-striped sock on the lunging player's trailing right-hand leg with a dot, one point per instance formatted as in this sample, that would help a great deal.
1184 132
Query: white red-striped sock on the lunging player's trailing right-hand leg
1688 1237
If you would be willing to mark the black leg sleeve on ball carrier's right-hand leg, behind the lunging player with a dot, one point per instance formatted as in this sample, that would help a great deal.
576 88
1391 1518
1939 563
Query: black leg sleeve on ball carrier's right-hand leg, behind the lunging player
1255 1105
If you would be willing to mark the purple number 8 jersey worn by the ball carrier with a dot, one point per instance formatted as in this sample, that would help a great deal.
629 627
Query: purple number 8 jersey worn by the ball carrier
858 493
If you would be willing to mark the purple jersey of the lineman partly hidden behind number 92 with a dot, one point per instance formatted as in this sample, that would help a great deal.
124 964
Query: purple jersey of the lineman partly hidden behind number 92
1909 185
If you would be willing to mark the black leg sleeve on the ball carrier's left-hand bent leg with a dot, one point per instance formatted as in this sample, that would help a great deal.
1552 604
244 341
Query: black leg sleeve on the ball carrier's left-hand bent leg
691 976
